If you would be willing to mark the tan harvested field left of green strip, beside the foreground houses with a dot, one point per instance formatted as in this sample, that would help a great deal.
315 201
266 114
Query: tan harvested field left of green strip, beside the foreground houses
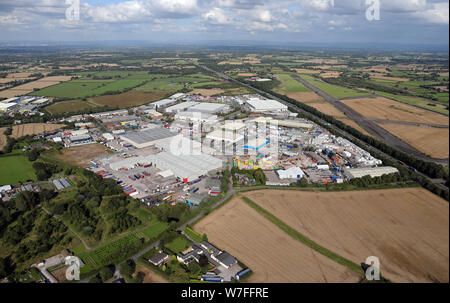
269 252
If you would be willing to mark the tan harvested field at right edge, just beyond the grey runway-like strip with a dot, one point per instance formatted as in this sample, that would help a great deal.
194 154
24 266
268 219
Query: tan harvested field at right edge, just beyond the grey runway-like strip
385 109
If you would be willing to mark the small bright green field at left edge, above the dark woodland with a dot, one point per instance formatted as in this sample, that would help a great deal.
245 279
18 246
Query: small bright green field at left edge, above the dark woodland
15 169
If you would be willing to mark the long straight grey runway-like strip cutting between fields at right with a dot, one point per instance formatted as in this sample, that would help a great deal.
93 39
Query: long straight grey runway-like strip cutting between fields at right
369 124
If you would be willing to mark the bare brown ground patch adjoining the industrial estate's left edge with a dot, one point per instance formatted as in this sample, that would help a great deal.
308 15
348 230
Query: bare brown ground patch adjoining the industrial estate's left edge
82 155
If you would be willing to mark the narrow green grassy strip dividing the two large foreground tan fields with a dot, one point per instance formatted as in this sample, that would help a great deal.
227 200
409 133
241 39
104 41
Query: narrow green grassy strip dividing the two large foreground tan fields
303 239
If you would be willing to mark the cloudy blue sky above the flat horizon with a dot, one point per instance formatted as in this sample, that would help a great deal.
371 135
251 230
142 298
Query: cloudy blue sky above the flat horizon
189 21
